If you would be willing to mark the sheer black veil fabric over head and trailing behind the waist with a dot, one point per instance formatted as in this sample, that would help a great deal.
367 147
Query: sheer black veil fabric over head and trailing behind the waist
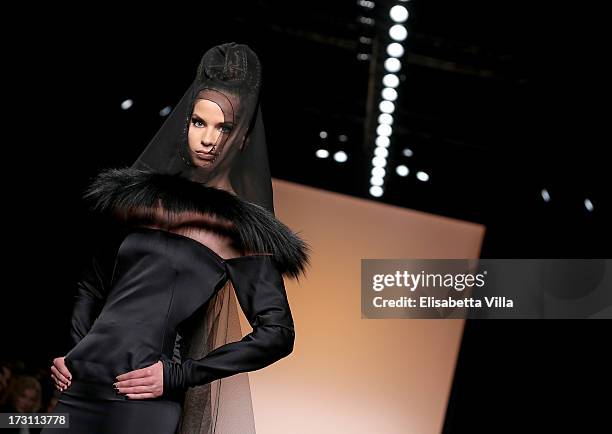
230 76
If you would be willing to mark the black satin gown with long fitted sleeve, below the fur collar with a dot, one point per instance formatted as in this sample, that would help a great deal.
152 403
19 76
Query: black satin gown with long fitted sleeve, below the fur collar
160 280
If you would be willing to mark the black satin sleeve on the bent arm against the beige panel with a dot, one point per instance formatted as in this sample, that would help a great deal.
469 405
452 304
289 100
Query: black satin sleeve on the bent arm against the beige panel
260 290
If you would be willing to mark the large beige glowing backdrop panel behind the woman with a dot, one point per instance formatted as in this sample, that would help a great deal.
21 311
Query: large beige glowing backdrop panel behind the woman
348 374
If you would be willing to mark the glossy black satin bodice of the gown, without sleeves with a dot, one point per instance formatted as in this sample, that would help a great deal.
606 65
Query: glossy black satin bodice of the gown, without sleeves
159 279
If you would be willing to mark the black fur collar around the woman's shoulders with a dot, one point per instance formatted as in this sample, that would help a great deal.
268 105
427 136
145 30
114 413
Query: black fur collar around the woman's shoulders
256 229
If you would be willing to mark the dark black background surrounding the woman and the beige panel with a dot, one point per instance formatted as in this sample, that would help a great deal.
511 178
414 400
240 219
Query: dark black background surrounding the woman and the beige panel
498 100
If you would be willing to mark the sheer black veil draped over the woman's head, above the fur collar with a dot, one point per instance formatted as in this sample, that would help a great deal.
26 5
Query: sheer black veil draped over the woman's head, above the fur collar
233 72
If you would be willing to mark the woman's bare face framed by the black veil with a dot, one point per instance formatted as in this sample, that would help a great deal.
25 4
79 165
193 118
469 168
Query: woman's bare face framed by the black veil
206 125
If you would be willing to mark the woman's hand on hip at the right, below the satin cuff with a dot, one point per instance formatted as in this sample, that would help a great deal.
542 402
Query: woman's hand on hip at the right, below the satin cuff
142 383
